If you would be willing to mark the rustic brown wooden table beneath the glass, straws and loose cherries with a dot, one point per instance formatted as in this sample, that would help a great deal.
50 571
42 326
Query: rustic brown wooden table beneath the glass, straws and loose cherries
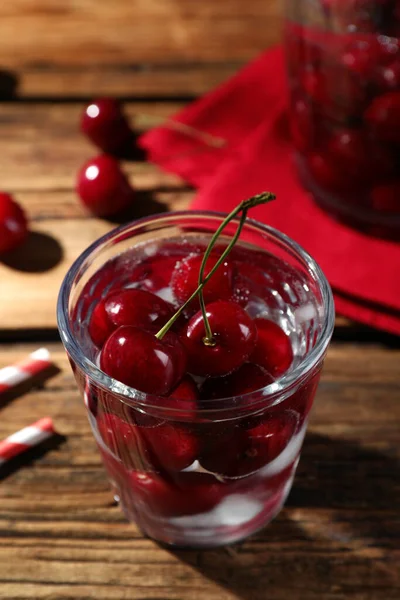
62 536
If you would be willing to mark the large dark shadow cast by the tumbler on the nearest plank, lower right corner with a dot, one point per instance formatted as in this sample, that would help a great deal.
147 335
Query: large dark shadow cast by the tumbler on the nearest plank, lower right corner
362 485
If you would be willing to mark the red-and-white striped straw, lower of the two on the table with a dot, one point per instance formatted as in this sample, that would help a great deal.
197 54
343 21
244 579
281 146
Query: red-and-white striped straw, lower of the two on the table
26 438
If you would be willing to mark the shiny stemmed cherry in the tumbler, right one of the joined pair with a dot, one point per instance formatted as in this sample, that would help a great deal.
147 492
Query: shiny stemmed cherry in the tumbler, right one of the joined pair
235 335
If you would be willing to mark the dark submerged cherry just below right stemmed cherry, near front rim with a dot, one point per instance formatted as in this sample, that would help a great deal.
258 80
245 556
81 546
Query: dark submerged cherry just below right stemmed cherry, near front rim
248 378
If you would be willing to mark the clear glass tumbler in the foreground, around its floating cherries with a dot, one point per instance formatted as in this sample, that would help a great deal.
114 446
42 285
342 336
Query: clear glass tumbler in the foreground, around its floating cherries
232 487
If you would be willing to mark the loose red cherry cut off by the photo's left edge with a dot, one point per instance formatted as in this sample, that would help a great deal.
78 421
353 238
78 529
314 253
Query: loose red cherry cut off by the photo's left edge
13 224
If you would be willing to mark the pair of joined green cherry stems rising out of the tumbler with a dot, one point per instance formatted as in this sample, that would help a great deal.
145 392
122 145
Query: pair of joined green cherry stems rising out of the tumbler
243 207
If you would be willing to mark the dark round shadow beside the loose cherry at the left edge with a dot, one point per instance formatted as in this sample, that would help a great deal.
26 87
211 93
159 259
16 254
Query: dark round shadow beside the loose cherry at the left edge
41 252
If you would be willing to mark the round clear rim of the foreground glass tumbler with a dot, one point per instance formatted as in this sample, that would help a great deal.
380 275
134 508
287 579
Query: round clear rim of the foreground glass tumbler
275 392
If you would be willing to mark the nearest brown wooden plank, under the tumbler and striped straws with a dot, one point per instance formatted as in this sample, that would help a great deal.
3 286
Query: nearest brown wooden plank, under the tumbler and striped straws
338 537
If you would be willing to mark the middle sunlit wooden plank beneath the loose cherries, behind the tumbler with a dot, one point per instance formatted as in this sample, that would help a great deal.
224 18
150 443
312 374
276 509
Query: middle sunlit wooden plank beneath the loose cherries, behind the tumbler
45 140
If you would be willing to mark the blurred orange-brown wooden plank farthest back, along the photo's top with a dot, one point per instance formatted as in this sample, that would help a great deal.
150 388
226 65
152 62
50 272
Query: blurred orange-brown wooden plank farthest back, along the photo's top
131 47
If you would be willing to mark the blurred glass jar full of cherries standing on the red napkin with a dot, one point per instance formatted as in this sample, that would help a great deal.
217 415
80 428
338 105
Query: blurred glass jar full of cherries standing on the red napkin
343 60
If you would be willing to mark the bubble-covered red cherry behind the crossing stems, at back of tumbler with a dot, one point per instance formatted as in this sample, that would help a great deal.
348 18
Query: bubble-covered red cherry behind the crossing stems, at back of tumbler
185 279
